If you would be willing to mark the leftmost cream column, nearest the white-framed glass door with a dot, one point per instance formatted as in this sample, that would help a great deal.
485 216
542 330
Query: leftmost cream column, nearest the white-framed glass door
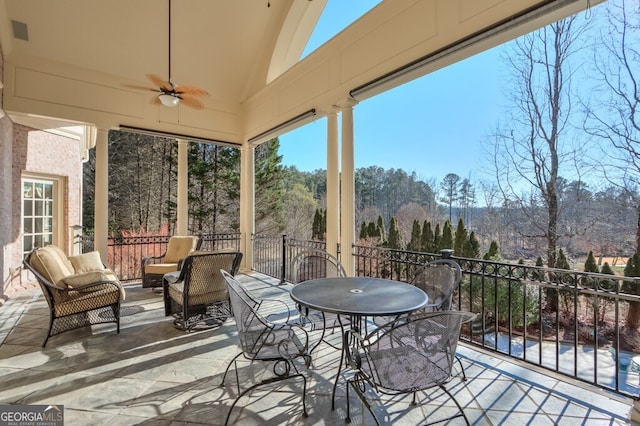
101 202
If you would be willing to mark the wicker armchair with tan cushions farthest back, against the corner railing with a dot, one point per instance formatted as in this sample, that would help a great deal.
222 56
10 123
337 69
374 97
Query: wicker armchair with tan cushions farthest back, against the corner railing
154 267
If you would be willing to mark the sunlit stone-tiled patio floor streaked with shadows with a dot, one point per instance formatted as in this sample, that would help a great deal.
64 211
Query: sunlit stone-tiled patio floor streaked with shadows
152 373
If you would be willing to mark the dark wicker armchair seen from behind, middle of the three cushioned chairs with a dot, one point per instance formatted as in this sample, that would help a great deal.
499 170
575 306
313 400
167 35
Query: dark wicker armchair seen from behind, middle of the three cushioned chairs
198 296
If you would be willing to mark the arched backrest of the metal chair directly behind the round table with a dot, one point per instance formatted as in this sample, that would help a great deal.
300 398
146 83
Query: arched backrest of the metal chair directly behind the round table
315 263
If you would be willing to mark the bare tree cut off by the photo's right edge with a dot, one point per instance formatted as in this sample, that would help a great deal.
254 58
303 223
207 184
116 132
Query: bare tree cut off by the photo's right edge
615 117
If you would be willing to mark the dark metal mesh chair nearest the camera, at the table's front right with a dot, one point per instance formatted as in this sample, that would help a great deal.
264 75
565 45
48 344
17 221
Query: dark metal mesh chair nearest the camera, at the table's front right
406 357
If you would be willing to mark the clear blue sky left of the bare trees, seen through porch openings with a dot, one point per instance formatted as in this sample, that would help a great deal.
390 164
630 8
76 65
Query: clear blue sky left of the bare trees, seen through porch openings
444 115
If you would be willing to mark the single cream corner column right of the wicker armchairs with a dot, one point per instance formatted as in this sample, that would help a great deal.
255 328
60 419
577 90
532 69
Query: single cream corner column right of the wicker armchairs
247 205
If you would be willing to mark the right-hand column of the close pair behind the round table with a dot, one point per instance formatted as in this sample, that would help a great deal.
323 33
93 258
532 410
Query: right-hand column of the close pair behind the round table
347 193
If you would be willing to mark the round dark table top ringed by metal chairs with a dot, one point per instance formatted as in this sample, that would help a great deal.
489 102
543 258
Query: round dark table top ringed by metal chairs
363 296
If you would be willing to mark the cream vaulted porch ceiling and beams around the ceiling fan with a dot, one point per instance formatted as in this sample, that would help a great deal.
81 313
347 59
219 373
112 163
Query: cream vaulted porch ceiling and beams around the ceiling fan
69 62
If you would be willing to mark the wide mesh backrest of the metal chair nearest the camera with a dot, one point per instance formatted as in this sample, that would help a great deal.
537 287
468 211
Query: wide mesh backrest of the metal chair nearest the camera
413 355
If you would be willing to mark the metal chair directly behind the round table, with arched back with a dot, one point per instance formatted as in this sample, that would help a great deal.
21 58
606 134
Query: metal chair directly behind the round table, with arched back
309 265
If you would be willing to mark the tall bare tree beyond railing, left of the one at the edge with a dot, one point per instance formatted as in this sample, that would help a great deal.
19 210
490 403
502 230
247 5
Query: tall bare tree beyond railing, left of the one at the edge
530 154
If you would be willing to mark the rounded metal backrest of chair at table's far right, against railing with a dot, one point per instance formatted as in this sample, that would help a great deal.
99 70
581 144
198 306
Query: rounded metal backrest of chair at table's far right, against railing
439 279
